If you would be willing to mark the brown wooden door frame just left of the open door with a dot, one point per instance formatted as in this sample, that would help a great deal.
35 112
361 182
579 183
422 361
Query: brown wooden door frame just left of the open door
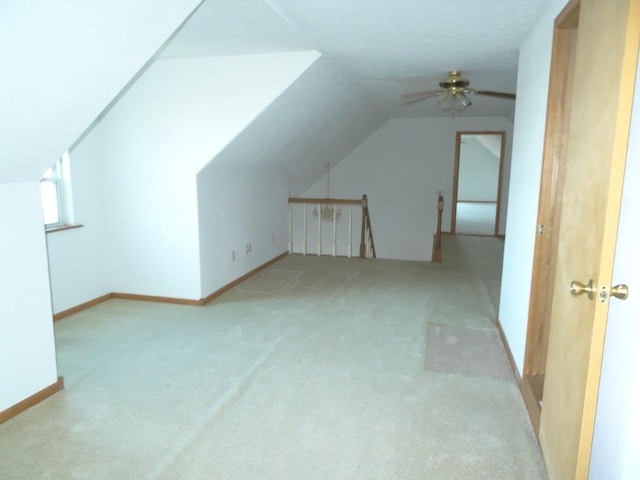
549 210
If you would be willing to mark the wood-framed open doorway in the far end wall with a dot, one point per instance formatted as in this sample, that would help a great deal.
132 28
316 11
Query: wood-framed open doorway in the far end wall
477 179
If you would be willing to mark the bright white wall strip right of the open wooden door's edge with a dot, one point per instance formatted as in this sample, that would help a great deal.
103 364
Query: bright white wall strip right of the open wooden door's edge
616 438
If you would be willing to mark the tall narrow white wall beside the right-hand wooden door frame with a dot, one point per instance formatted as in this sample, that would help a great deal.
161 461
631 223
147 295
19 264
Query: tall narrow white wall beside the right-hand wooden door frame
526 164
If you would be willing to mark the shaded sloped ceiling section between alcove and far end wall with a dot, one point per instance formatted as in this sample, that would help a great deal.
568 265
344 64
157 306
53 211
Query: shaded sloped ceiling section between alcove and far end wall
321 118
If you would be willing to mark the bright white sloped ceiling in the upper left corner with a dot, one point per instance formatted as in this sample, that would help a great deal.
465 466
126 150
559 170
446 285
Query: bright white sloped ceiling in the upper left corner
63 61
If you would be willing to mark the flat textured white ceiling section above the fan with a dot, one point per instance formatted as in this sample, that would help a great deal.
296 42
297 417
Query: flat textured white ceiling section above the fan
387 47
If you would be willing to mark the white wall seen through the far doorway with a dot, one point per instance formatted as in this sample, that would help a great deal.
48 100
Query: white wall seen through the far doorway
478 173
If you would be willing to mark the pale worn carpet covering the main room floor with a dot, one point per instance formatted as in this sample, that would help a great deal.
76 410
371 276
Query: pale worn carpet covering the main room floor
316 368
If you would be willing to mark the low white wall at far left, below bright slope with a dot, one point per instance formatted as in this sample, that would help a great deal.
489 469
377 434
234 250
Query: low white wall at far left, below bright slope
27 361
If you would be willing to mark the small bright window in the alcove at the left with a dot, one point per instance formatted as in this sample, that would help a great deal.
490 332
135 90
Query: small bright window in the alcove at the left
55 193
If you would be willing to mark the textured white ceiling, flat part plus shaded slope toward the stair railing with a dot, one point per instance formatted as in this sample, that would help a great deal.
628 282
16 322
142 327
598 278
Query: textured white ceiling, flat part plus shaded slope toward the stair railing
372 52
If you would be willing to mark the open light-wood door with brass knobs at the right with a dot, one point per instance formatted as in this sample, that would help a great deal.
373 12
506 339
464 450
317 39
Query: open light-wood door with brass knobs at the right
604 76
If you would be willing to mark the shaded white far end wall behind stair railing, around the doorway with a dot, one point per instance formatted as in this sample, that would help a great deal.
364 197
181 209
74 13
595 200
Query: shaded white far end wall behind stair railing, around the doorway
401 168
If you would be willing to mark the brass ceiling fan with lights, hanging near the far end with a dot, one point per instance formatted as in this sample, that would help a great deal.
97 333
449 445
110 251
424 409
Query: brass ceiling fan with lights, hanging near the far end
454 92
